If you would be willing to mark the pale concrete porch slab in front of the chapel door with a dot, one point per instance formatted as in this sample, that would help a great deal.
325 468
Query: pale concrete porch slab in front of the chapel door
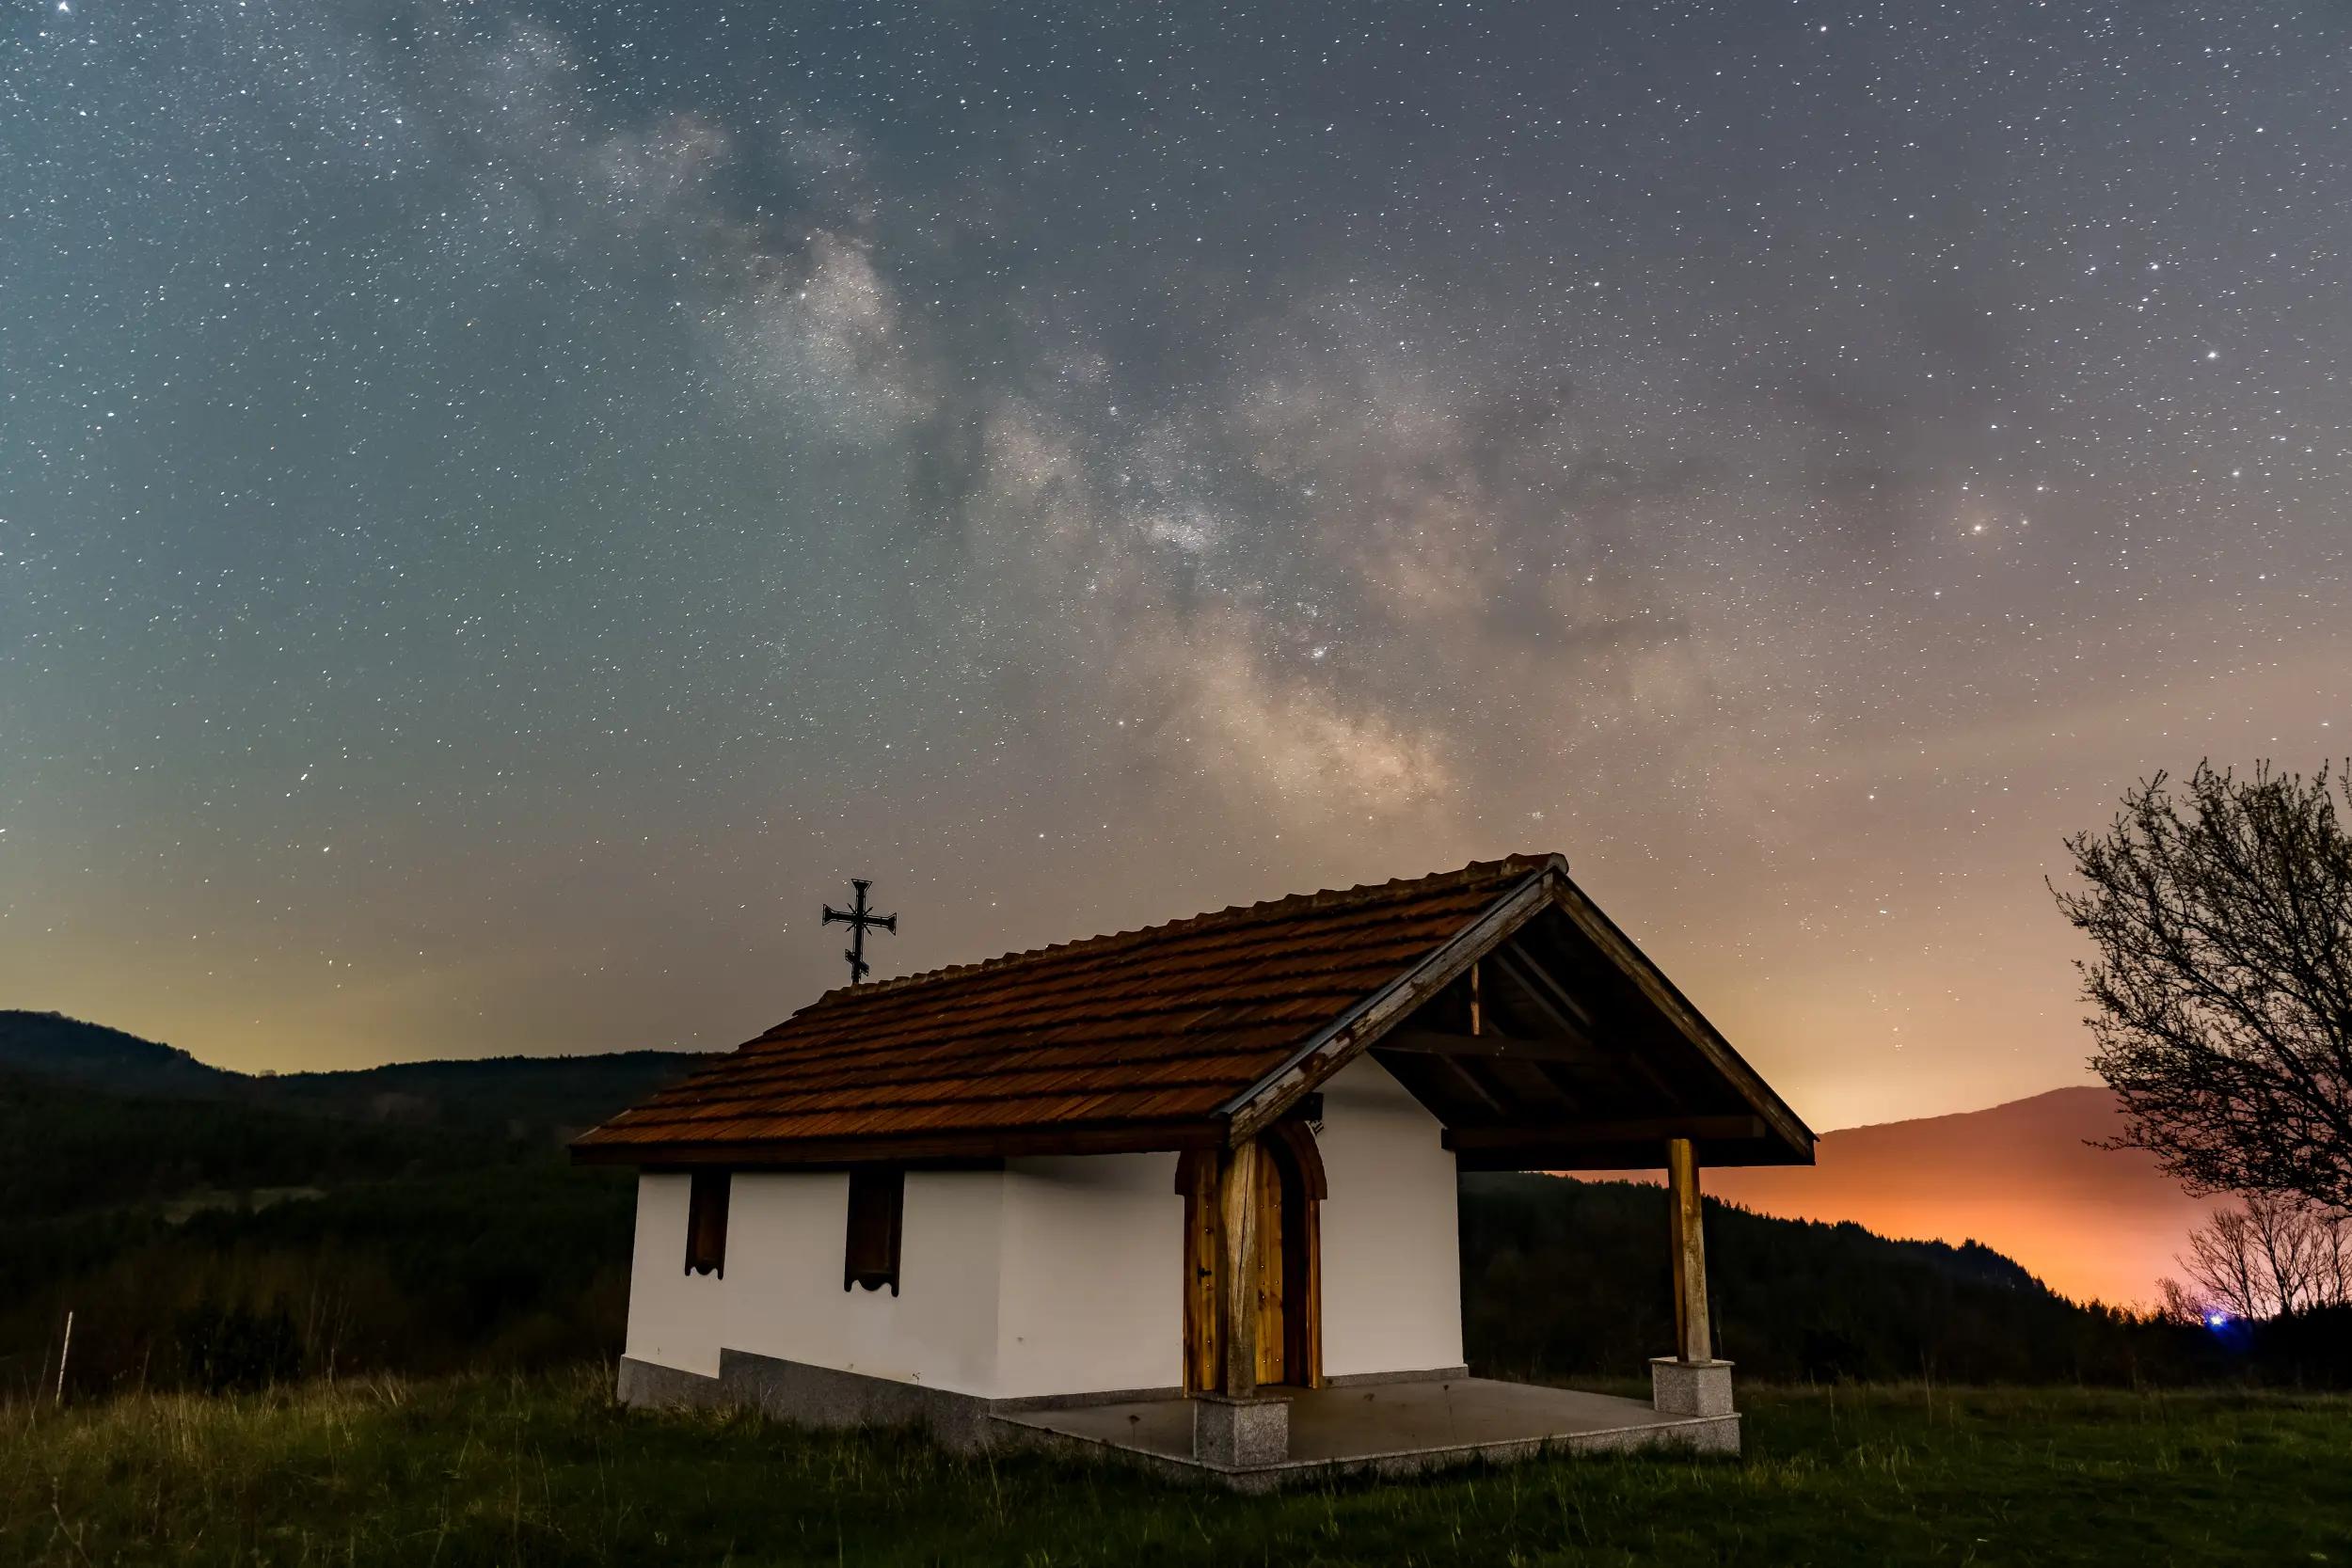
1391 1428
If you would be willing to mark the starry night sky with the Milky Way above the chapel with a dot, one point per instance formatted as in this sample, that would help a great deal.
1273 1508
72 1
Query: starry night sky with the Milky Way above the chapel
507 509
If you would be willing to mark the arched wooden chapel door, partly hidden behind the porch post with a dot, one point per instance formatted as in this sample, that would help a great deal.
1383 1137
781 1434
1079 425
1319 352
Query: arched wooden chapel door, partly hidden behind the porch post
1288 1219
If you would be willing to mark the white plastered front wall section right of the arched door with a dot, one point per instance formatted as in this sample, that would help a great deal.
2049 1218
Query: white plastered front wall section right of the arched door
1391 1245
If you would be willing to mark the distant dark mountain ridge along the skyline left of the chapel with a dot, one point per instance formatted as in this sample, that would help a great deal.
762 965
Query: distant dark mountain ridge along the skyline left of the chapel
523 1097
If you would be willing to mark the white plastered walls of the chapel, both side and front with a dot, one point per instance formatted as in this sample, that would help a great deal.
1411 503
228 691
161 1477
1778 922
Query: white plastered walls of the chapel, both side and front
1055 1275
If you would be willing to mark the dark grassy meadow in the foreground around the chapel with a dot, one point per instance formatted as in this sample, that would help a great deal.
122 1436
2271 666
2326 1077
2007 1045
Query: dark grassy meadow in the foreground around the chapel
549 1470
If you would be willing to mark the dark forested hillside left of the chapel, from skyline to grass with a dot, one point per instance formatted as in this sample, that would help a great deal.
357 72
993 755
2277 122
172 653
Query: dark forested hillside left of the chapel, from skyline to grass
239 1238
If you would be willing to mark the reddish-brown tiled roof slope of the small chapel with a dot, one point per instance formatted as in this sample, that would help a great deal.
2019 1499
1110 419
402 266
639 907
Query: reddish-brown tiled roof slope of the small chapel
1144 1028
